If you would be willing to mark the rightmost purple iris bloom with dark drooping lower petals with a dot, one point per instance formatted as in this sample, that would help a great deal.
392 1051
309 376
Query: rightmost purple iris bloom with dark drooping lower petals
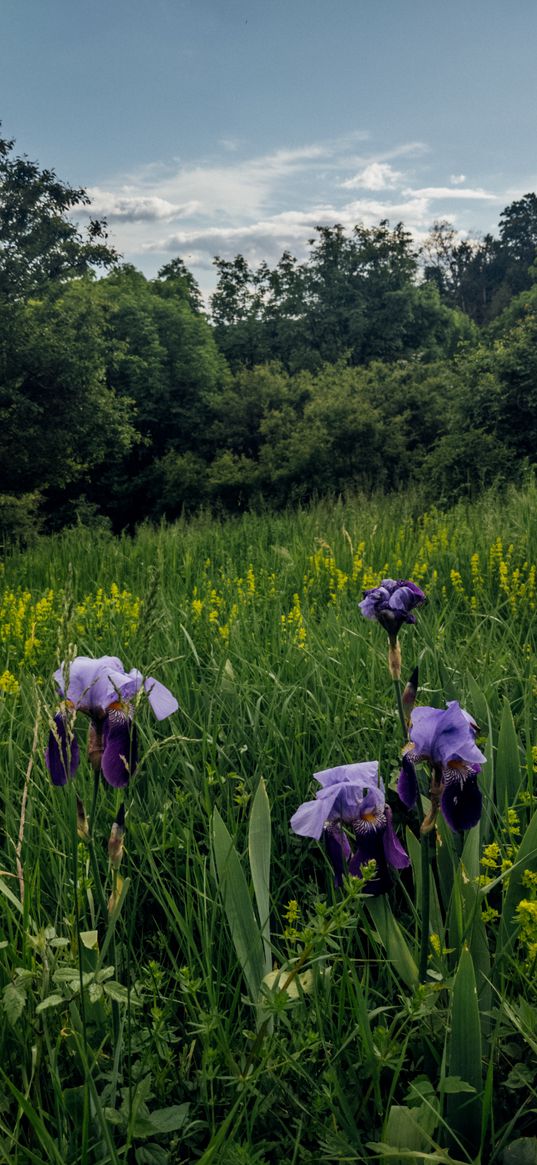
446 740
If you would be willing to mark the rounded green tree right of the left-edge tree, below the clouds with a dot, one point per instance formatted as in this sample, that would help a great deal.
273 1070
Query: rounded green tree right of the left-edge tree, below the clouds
161 355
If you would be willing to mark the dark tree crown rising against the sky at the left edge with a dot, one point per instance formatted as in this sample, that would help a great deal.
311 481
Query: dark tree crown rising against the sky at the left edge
39 243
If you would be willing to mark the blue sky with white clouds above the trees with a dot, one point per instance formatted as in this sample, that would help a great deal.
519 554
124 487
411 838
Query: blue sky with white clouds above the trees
211 128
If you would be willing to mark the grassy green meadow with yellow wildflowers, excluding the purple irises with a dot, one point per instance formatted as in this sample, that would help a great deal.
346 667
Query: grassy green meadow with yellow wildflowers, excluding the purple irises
230 1005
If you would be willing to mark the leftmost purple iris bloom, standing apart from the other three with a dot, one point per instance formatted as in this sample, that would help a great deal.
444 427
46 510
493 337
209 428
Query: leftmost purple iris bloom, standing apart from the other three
103 690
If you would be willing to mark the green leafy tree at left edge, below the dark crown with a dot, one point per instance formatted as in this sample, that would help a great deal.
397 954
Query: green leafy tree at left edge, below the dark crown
60 416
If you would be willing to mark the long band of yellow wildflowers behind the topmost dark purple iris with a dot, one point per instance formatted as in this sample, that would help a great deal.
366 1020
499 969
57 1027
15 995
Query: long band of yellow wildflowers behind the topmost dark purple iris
338 577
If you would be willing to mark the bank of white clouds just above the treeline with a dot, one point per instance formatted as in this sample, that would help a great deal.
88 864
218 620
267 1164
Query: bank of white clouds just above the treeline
262 204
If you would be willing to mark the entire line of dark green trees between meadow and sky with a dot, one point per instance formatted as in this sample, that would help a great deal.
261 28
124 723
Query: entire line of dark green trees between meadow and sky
371 364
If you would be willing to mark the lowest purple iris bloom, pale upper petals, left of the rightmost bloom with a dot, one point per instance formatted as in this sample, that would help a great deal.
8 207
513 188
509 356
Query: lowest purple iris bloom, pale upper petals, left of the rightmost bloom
354 796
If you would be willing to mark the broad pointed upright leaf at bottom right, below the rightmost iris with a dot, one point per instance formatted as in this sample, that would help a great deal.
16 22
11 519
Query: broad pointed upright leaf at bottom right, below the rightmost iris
464 1055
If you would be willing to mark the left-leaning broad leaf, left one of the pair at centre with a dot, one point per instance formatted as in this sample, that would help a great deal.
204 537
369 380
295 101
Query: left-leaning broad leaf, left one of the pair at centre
238 907
